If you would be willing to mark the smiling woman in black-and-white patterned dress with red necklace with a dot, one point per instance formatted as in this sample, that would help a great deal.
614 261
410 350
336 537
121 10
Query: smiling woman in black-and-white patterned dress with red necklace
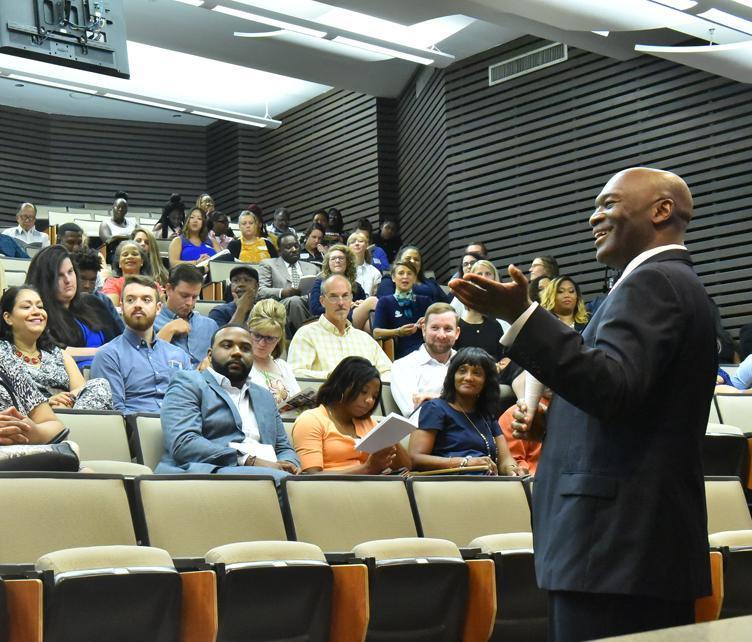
26 346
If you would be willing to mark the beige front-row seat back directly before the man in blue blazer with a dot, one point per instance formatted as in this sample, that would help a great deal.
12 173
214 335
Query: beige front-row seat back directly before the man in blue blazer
188 515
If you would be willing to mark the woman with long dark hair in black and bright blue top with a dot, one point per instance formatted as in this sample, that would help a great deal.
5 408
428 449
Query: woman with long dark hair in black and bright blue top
78 322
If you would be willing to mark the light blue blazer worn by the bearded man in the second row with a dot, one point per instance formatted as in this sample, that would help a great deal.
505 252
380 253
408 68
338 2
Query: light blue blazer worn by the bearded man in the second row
199 419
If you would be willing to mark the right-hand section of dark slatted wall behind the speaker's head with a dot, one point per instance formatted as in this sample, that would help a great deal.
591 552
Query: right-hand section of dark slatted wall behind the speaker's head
526 158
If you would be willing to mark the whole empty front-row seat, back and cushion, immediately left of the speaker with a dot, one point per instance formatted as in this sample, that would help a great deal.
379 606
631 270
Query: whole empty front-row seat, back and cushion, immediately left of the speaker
492 514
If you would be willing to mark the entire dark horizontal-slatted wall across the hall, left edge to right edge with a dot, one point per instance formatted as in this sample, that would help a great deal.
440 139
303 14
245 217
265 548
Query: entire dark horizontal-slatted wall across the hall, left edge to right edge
517 164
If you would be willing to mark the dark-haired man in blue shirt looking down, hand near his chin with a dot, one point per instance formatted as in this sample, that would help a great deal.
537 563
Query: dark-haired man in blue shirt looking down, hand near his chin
177 322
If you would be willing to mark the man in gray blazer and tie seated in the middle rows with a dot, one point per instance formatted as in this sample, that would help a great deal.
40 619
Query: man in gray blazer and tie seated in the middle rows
279 279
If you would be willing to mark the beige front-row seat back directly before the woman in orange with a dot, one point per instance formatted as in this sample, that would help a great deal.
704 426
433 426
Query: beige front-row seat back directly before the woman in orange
337 512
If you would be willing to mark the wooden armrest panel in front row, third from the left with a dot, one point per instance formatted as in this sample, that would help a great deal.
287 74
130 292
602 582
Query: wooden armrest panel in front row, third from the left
350 605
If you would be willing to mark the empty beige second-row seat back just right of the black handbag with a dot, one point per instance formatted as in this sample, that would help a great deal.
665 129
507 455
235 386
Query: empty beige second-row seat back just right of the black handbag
99 434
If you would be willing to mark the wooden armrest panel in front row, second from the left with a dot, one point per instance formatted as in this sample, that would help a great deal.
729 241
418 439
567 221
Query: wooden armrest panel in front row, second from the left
199 615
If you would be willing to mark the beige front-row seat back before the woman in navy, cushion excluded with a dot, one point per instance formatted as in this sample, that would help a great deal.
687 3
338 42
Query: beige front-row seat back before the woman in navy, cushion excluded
462 508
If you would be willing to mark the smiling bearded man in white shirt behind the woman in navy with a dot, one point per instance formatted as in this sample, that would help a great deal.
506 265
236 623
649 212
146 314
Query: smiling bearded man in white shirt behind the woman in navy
419 375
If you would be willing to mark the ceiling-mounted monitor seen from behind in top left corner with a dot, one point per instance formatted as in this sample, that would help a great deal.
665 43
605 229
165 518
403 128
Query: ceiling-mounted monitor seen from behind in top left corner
84 34
